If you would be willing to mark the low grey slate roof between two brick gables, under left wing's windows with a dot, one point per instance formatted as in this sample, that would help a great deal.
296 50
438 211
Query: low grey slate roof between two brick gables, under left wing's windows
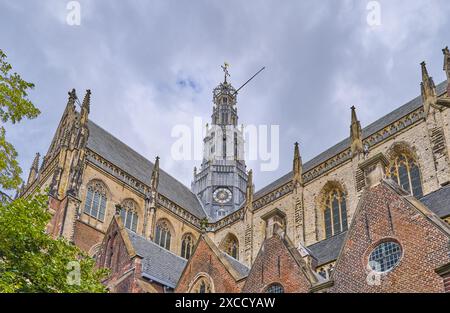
158 263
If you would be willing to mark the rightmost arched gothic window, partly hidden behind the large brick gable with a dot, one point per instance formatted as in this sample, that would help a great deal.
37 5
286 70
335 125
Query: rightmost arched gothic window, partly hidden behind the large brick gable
404 170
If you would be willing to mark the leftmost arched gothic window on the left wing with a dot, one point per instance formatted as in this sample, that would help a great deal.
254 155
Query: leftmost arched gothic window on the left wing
95 202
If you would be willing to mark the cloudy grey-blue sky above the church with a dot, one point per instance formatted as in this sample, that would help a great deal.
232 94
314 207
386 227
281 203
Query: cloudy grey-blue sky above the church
152 65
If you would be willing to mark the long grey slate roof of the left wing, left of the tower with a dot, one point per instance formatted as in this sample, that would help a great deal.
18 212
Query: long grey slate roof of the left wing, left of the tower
118 153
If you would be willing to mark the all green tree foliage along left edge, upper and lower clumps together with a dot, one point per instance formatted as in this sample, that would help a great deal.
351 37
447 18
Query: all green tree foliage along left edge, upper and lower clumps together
30 259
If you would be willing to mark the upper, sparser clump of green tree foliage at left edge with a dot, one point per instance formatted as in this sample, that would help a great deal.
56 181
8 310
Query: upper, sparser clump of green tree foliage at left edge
14 105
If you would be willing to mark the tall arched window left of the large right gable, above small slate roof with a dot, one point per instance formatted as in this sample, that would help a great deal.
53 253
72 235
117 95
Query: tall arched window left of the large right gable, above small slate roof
335 212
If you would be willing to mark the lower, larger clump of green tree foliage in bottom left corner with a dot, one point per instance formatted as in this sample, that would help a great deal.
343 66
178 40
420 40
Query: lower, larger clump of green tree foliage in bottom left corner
32 261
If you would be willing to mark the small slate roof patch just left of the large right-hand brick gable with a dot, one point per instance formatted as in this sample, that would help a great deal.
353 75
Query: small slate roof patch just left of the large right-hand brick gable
327 250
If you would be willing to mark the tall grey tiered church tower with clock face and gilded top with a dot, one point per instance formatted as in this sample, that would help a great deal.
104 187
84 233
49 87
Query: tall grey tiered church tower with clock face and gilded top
221 181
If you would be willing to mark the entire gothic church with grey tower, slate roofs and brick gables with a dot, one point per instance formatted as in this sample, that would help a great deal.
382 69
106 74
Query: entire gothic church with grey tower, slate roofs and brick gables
369 214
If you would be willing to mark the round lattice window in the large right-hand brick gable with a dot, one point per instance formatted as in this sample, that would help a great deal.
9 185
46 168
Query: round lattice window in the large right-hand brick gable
385 256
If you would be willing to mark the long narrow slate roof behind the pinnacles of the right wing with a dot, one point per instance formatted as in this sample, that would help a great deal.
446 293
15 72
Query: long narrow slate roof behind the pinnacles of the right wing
344 144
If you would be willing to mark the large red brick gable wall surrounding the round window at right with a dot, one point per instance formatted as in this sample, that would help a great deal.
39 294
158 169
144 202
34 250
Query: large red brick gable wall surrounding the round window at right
385 215
